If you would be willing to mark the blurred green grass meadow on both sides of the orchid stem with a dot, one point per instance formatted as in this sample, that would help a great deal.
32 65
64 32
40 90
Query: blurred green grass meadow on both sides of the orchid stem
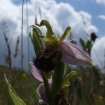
79 92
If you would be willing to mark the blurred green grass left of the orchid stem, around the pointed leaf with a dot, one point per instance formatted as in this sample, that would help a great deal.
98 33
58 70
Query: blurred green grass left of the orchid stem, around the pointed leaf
22 82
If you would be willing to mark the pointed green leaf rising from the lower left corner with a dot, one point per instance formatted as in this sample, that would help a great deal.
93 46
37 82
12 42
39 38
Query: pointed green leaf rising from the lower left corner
13 94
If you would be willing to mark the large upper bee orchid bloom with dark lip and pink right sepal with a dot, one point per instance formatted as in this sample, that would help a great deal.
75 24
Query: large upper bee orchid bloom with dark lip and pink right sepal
57 48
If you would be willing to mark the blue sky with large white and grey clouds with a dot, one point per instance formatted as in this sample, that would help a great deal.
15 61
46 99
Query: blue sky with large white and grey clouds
60 13
